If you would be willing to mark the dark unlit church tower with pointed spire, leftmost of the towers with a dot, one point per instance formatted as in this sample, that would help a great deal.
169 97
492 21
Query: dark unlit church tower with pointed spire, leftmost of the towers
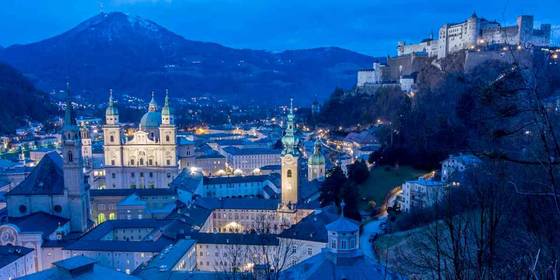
74 182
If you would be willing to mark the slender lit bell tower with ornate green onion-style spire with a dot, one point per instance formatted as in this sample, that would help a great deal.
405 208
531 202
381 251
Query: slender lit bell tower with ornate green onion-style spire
290 157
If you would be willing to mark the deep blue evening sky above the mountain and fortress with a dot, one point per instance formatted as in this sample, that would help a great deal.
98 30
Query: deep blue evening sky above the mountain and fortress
368 26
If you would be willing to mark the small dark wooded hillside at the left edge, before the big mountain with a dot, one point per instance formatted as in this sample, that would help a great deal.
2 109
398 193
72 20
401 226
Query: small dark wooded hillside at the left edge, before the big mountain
21 101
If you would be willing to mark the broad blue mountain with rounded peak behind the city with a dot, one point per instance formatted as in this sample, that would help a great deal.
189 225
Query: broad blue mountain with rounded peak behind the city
134 55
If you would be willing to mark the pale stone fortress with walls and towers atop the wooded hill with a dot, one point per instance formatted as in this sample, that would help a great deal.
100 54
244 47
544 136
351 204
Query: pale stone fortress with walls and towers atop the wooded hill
472 42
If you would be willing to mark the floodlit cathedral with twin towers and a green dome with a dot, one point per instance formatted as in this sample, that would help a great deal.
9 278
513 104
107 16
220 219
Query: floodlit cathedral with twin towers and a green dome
147 159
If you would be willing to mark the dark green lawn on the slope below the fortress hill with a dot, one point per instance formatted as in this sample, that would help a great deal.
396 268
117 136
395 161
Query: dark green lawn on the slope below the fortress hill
382 179
